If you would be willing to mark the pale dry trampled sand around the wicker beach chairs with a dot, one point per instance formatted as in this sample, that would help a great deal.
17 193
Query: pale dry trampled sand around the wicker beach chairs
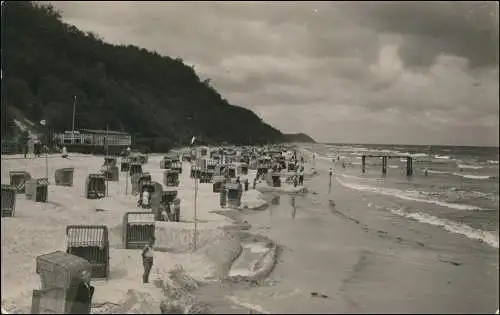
39 228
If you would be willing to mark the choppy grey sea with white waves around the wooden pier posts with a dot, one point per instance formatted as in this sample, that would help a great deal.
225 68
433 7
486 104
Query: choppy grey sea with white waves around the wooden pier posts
460 192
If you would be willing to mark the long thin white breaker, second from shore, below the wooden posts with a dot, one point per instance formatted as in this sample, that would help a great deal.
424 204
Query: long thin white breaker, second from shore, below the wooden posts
407 195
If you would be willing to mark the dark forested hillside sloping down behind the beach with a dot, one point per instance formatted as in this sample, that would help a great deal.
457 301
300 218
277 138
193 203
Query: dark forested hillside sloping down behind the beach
46 62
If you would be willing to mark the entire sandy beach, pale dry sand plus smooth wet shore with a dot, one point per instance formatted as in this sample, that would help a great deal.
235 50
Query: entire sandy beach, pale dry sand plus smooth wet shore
312 250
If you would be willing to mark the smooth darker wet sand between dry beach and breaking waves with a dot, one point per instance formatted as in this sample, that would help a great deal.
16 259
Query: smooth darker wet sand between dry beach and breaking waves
366 260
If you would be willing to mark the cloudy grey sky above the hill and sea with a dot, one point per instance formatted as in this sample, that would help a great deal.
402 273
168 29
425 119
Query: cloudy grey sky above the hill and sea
343 72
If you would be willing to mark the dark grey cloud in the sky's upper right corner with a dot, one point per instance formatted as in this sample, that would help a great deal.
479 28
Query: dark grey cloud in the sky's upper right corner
467 29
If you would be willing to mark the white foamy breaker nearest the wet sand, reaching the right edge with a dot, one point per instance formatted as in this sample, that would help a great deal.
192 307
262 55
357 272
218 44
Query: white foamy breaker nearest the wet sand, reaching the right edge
451 226
